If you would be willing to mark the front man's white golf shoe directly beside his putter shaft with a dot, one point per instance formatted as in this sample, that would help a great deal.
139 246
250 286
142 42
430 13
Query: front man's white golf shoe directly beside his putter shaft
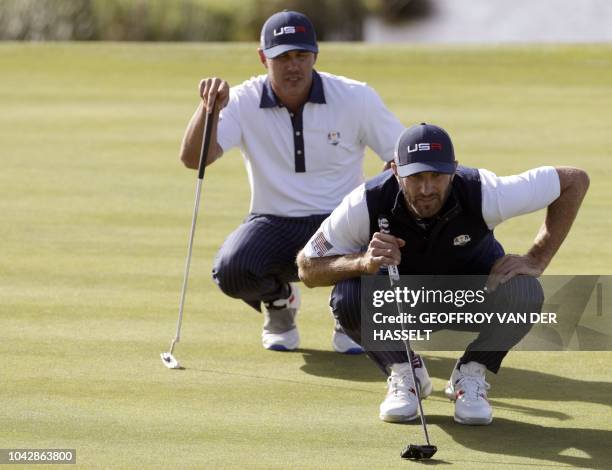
401 403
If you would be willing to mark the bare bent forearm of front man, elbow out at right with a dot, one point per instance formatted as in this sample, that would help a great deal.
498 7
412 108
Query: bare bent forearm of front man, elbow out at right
560 216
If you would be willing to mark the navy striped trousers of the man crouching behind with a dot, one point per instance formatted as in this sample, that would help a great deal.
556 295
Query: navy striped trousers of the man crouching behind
257 260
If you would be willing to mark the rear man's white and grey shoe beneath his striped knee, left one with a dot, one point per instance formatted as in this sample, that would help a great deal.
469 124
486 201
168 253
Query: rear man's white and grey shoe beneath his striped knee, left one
280 332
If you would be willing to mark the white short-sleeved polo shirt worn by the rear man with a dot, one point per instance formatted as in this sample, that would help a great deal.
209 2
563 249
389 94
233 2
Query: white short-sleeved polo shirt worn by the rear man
304 164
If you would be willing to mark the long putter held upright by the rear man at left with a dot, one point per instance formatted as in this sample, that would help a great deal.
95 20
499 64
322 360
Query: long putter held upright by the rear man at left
167 358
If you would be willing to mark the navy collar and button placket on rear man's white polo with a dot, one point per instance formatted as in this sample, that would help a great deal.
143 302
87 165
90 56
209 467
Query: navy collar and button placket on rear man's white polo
315 95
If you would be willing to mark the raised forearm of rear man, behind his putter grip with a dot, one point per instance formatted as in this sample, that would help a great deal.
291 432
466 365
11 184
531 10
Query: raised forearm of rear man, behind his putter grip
192 140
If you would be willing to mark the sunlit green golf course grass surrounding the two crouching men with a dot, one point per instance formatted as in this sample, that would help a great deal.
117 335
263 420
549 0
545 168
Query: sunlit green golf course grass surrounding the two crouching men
95 210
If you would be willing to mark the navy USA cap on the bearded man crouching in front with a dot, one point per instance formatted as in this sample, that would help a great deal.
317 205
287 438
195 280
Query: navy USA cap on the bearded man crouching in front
424 147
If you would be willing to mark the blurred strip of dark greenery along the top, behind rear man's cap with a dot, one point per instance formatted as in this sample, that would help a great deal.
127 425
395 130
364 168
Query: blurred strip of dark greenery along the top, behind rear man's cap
186 20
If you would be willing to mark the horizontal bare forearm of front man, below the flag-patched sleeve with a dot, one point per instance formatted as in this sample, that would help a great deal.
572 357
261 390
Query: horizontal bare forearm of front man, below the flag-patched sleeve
327 271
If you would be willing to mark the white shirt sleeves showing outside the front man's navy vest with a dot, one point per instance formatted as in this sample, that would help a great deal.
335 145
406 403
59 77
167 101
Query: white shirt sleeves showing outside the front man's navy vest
347 229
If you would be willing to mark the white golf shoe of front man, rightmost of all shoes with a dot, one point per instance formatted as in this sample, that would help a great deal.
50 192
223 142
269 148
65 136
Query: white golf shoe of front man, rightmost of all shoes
468 389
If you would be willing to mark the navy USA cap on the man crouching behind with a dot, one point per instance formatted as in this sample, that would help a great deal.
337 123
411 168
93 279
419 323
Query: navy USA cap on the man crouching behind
287 31
